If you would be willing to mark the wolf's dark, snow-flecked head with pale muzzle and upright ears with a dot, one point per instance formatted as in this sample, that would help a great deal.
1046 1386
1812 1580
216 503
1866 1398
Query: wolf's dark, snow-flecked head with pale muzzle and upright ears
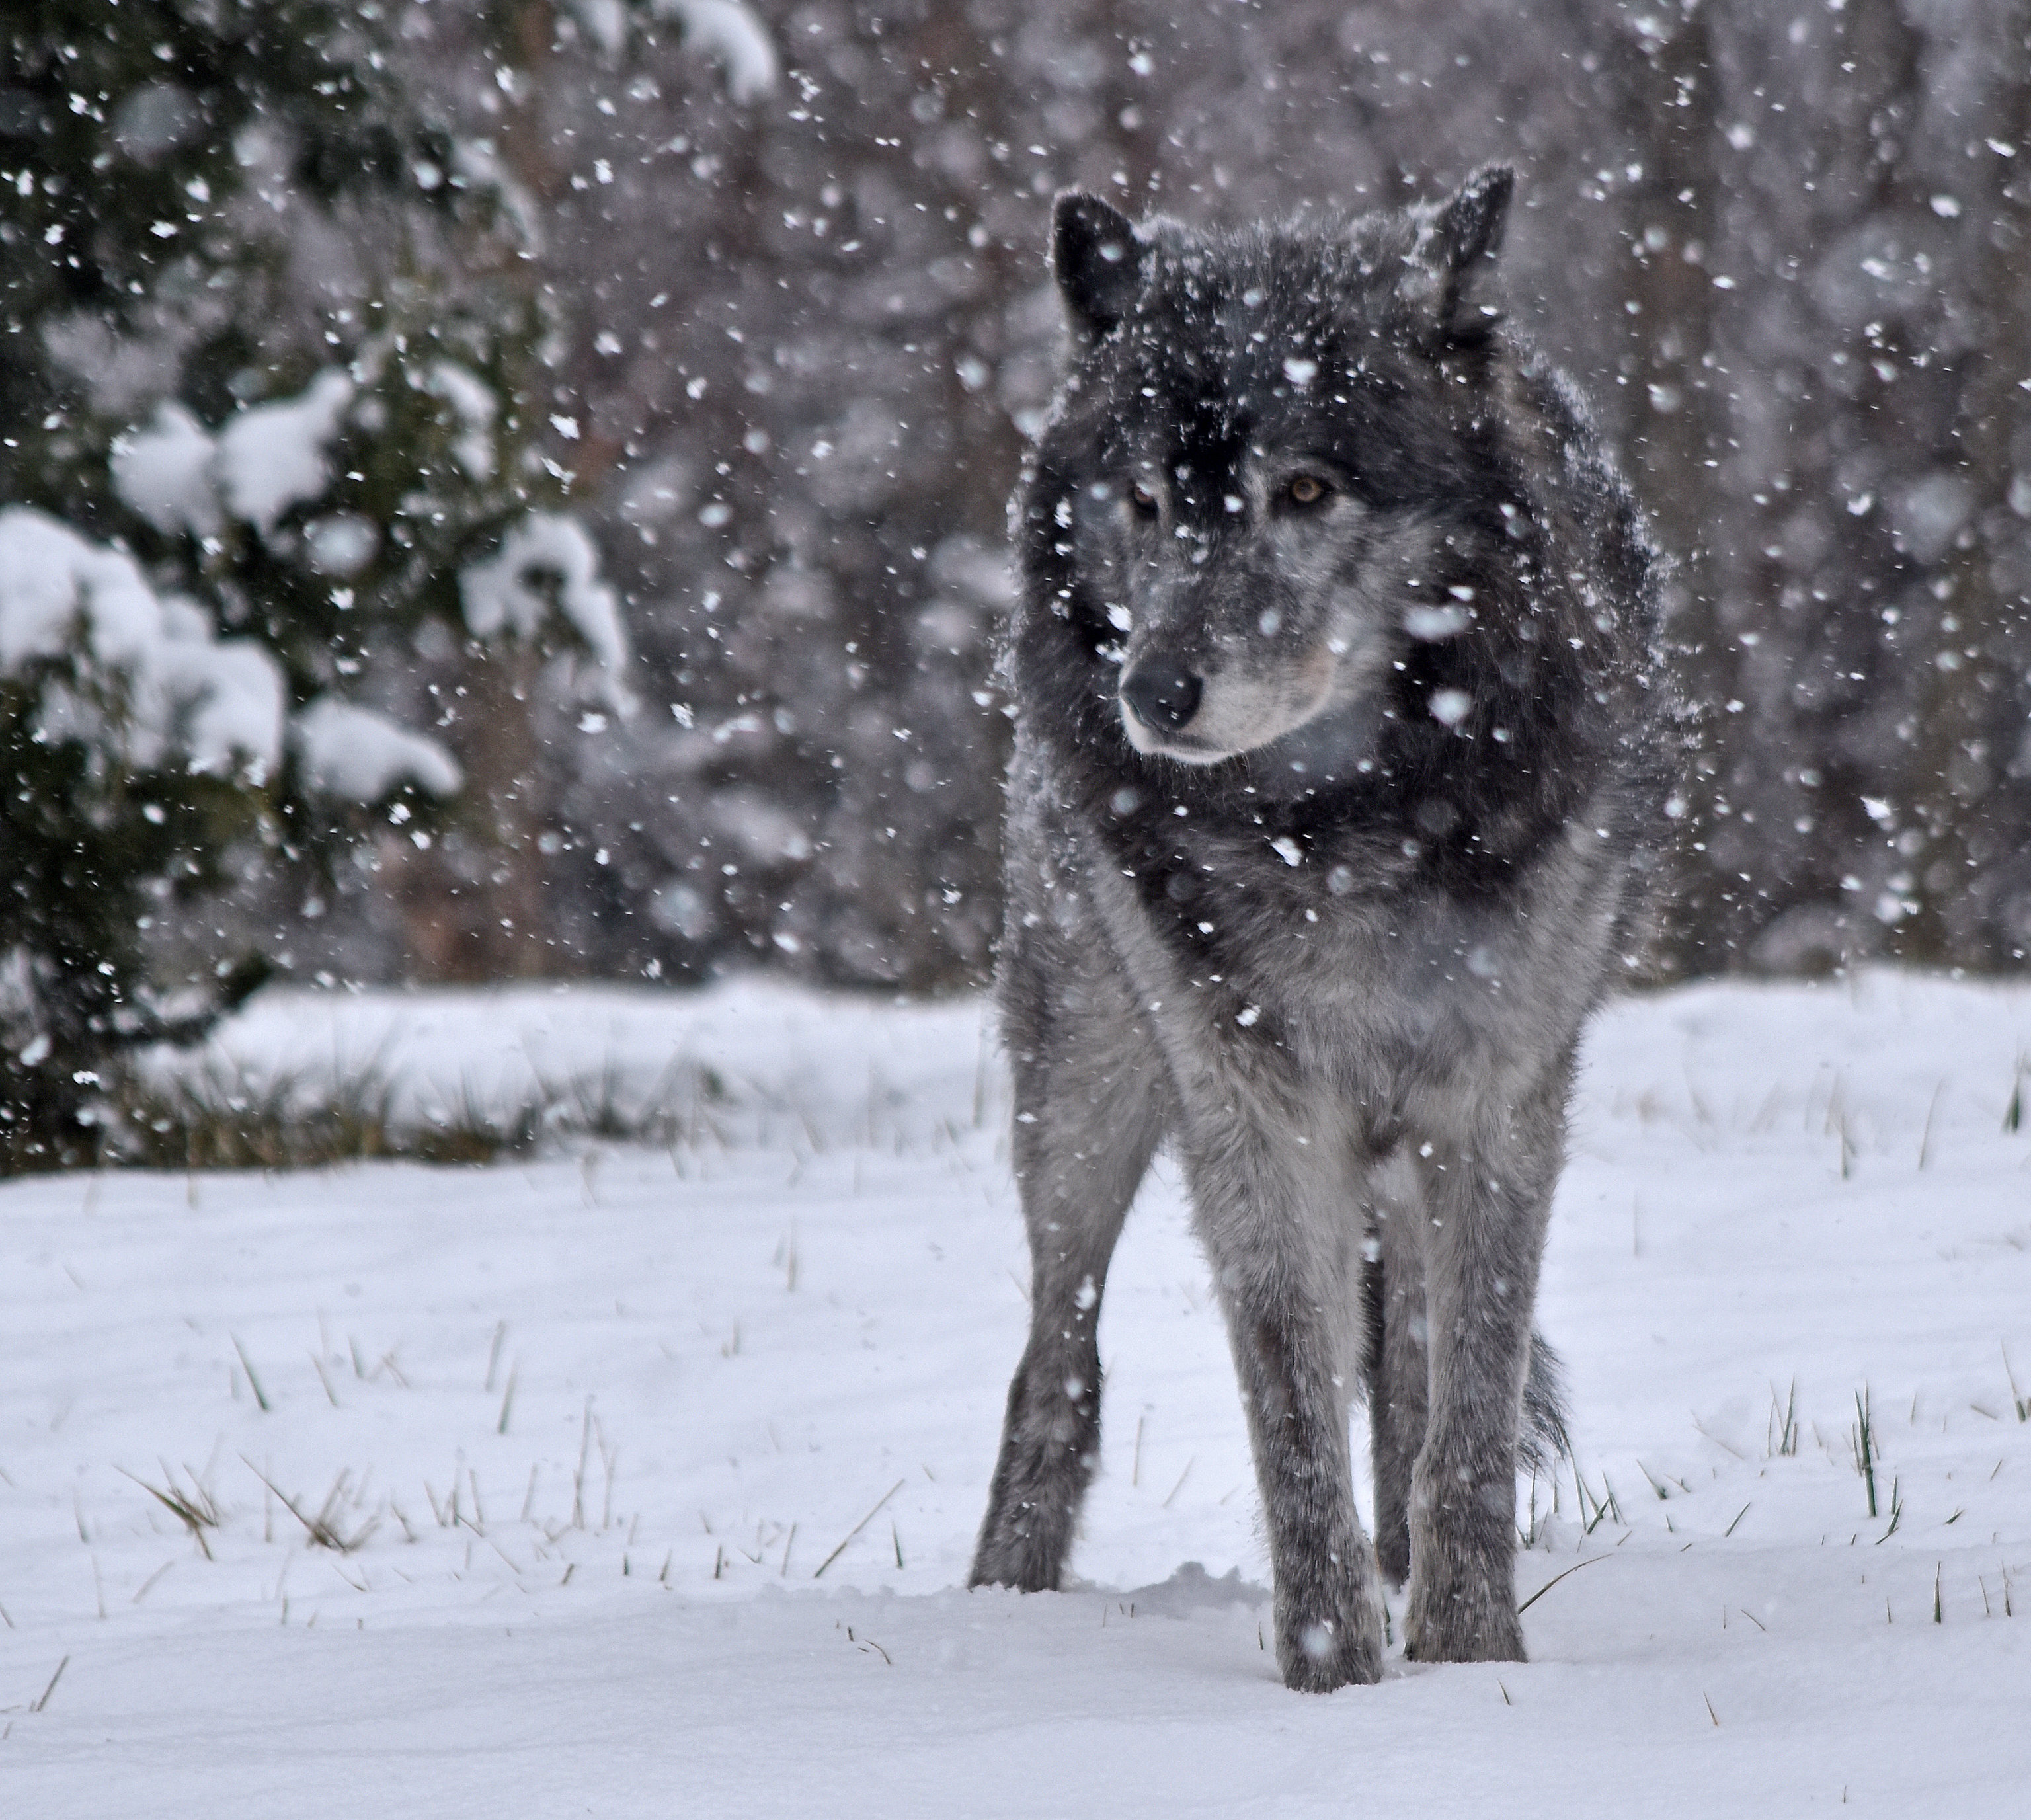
1272 470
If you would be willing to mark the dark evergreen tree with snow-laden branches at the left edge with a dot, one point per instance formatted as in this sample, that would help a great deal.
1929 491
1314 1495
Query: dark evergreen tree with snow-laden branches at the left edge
261 332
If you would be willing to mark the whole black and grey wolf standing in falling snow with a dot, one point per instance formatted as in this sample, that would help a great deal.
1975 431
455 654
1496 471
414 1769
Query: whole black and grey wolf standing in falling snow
1333 807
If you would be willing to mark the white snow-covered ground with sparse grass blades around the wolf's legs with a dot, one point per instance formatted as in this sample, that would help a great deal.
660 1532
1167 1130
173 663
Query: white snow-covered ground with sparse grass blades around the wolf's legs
657 1470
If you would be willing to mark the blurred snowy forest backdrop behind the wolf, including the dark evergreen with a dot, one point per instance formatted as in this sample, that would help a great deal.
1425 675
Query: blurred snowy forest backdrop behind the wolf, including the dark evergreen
761 304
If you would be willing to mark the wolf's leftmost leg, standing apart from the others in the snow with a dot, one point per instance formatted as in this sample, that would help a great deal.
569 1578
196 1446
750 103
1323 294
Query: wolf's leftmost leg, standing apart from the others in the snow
1090 1112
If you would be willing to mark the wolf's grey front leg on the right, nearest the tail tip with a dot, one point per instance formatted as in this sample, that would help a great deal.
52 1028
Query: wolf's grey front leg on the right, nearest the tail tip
1486 1214
